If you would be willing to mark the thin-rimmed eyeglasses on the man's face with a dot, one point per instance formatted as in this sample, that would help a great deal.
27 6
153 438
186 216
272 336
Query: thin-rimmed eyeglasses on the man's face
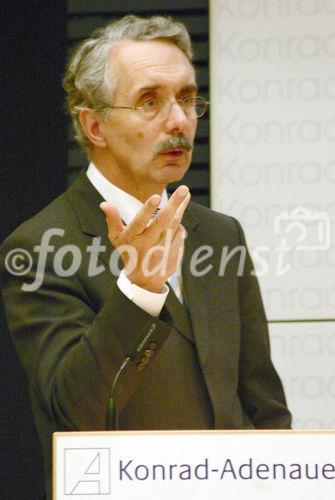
192 107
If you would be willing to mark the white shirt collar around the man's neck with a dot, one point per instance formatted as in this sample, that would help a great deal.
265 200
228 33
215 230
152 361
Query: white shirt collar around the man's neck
127 205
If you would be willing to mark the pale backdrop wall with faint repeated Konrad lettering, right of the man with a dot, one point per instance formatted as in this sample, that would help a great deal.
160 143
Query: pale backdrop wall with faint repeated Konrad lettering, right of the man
273 167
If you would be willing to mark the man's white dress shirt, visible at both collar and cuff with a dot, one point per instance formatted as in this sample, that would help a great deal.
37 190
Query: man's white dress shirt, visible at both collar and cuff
128 206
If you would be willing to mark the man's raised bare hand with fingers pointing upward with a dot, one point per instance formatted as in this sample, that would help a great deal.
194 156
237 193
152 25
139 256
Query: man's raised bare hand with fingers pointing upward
150 249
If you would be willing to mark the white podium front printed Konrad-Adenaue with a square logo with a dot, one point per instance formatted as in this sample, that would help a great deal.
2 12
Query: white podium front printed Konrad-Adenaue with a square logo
194 465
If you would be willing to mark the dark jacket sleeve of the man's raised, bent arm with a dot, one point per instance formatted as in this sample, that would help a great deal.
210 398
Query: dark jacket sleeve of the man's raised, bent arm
70 351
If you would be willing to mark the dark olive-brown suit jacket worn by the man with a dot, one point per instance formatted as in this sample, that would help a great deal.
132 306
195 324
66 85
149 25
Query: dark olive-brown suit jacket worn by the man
72 333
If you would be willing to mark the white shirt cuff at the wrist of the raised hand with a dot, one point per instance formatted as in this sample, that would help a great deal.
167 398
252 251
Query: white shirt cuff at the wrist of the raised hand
150 302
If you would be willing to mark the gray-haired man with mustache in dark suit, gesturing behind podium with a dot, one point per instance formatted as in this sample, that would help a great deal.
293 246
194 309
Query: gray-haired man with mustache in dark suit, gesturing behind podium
157 347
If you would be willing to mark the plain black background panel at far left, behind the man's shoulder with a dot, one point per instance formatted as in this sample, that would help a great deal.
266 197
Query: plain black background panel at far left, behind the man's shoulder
33 172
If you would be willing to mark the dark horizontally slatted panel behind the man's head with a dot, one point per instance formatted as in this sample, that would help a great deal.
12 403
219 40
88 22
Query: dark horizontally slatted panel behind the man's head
84 16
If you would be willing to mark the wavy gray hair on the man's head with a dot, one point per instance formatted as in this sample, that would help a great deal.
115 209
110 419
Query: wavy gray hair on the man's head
89 80
